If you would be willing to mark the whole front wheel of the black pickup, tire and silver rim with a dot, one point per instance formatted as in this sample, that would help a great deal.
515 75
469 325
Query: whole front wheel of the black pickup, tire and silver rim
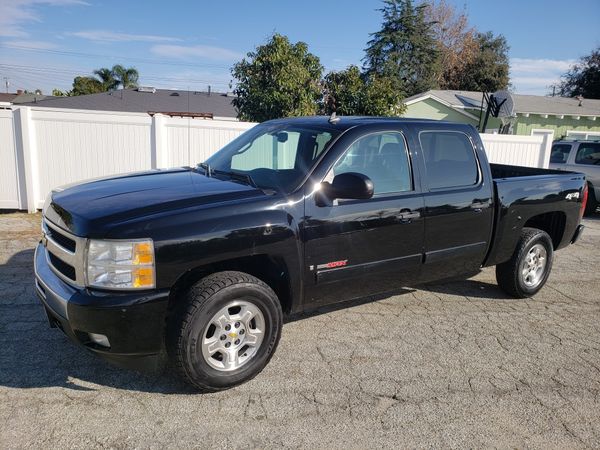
224 331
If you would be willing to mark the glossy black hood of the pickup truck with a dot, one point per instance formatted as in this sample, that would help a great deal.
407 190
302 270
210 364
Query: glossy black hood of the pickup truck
86 208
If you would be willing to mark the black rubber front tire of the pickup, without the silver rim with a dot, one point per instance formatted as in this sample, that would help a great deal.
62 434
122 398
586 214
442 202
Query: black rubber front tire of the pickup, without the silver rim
190 320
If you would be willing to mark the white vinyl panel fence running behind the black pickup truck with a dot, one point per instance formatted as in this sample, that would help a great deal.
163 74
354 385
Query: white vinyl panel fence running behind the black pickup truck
42 148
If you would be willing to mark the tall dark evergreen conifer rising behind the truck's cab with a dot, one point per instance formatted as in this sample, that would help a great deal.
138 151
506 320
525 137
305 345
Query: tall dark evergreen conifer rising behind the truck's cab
404 48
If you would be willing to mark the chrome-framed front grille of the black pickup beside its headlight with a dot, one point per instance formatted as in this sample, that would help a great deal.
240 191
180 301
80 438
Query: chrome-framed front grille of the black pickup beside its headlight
65 253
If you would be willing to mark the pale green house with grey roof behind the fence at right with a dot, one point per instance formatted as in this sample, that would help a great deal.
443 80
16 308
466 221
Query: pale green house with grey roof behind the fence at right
579 118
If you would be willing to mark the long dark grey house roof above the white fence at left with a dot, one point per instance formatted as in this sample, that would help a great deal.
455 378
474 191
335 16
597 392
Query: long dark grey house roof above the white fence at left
150 100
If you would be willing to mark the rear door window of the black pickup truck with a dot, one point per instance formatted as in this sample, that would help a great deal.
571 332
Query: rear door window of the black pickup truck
449 159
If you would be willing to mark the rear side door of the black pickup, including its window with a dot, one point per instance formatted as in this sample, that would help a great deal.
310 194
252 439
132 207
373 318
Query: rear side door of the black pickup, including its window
458 203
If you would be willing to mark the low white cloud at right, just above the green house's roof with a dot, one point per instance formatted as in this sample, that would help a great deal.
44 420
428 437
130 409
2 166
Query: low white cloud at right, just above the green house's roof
535 76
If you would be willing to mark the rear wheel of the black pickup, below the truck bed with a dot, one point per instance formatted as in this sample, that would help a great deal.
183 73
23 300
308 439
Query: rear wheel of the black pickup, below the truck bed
527 271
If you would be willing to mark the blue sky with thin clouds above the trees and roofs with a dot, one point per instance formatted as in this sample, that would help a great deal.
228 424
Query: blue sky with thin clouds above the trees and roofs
45 43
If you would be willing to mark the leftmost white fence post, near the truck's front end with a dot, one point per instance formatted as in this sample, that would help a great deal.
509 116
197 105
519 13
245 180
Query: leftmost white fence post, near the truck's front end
26 157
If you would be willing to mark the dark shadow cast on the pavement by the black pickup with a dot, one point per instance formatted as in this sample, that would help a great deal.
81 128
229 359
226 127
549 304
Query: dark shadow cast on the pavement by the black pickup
33 355
